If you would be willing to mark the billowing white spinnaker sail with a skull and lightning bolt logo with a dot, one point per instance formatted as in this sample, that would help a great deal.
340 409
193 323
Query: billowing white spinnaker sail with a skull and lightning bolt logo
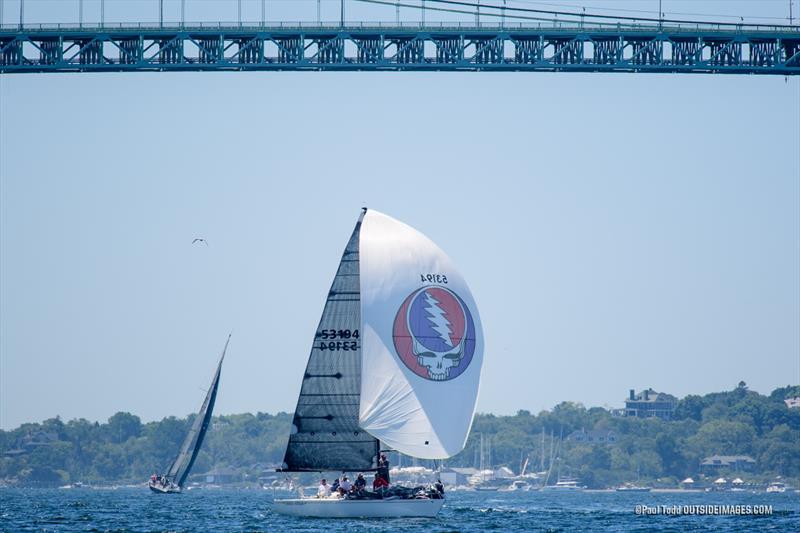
415 415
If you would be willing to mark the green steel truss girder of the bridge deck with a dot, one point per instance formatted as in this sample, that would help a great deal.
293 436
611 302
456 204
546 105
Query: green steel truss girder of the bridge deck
382 48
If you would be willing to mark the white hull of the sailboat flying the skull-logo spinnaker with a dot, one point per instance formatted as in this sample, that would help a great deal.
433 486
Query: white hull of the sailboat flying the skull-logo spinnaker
334 508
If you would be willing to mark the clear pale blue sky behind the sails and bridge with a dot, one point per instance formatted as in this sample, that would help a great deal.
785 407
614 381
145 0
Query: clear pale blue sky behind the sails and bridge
617 231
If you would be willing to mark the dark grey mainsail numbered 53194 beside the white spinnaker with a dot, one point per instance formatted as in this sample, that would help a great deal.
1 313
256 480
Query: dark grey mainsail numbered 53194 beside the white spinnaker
325 433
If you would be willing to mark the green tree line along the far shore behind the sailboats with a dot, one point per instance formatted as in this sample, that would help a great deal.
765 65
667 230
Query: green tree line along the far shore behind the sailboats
734 422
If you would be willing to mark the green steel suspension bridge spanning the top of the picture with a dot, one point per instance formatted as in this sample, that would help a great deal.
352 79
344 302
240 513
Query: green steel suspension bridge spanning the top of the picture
500 38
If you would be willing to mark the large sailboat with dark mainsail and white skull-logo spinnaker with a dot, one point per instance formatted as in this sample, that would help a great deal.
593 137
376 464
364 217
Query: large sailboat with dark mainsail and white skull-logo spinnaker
395 363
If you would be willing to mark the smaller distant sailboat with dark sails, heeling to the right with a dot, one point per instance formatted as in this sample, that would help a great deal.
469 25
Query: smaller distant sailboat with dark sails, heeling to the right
174 479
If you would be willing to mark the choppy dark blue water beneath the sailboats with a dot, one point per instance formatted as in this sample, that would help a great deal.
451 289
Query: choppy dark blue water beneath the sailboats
129 509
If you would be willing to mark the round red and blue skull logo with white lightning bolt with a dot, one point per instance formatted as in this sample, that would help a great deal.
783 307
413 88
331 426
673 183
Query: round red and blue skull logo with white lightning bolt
434 334
